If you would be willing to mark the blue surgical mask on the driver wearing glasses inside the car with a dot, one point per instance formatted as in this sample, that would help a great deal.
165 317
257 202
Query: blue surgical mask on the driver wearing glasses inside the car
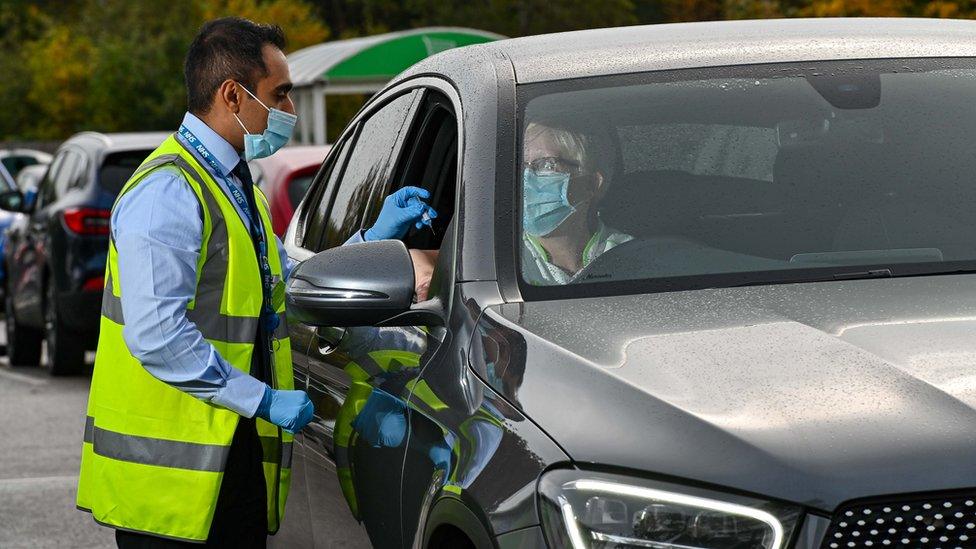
546 201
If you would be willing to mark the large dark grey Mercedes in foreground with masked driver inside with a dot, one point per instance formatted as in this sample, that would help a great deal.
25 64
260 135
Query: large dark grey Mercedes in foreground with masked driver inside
771 345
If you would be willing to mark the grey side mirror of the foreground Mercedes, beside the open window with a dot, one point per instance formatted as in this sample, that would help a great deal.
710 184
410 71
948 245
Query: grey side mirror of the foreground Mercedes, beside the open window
365 284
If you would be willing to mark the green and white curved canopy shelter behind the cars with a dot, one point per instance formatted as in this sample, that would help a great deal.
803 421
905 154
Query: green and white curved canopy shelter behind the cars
363 65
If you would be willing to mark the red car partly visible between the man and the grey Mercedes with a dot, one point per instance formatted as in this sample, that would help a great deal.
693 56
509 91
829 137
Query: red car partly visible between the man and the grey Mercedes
284 177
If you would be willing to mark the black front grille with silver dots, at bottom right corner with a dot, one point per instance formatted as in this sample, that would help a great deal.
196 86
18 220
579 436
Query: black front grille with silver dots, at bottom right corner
934 522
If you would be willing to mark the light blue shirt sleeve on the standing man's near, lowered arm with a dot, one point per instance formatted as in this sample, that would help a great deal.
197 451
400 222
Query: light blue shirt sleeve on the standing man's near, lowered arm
158 248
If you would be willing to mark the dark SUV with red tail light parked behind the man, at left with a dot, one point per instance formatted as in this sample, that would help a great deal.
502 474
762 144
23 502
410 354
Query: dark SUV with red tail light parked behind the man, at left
55 254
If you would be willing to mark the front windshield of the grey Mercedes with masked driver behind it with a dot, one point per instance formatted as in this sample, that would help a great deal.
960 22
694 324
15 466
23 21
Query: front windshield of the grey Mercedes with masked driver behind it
748 175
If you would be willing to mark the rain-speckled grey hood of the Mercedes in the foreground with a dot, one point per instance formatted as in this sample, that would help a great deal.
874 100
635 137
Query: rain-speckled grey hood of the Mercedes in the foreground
814 393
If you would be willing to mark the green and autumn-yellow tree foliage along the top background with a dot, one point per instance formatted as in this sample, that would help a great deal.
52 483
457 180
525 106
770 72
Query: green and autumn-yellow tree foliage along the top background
116 65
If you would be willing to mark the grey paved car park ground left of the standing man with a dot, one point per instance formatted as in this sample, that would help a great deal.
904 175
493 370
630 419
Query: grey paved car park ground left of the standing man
43 419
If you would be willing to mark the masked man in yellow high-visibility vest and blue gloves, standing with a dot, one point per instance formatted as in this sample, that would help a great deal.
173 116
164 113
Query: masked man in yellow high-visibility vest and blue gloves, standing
192 410
